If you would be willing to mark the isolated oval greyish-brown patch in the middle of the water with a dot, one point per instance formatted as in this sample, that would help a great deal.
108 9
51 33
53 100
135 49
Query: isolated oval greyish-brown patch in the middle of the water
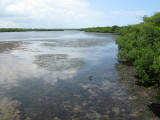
57 61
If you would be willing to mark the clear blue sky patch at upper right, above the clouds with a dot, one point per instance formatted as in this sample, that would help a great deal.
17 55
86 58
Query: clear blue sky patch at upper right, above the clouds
127 5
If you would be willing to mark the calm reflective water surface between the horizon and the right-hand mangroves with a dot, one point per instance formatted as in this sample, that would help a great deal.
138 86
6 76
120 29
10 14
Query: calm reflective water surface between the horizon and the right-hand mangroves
63 75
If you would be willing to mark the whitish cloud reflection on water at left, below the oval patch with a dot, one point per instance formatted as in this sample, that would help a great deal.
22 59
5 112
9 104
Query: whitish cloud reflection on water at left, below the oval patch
14 69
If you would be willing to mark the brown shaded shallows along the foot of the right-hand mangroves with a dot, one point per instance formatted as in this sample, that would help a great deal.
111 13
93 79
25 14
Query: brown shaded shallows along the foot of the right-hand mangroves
138 97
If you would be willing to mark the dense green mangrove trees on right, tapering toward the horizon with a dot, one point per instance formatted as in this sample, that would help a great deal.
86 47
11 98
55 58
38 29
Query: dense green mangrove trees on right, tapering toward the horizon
139 44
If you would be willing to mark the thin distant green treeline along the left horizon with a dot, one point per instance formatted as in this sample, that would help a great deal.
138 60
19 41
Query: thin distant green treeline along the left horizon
23 29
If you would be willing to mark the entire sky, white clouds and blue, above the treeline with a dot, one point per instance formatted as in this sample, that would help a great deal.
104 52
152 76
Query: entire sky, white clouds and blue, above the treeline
74 13
